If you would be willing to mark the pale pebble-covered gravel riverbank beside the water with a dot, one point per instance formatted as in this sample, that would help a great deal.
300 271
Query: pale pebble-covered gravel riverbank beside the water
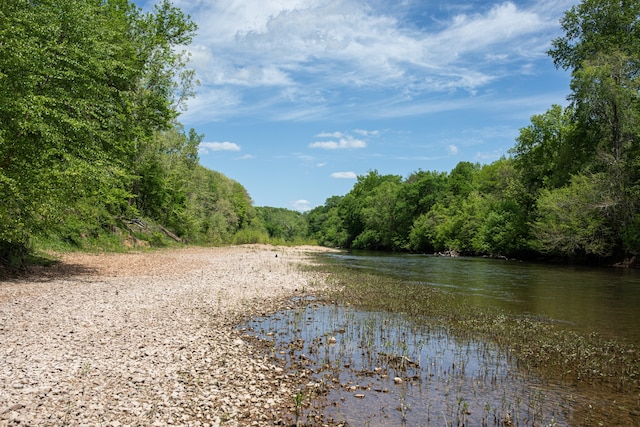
147 338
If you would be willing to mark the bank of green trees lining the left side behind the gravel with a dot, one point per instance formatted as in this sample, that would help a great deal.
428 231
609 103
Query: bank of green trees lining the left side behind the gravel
90 94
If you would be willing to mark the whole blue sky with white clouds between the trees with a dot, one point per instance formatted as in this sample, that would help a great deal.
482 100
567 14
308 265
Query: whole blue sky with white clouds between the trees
299 97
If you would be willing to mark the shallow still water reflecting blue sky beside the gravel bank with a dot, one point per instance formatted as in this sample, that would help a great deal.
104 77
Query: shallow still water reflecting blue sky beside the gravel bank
381 369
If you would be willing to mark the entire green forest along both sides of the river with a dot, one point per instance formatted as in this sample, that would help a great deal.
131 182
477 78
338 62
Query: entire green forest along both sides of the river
92 154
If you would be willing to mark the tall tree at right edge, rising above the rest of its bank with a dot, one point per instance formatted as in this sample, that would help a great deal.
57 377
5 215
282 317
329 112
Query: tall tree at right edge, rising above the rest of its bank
601 47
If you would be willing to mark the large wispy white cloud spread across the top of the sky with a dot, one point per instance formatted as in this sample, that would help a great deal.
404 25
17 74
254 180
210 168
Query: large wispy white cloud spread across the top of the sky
298 54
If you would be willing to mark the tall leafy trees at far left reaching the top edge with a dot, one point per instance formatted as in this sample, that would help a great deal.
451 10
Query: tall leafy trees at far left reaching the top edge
82 84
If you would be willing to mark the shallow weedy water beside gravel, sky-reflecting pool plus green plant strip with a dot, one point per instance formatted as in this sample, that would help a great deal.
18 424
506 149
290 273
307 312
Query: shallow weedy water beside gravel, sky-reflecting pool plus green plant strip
378 351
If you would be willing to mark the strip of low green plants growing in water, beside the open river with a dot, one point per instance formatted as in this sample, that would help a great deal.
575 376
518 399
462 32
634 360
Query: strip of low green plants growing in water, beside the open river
547 348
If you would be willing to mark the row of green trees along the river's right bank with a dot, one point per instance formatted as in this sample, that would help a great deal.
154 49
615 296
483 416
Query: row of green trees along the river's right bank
569 188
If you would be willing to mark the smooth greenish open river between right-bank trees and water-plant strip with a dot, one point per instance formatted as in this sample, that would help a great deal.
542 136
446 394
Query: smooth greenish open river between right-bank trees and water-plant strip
603 300
